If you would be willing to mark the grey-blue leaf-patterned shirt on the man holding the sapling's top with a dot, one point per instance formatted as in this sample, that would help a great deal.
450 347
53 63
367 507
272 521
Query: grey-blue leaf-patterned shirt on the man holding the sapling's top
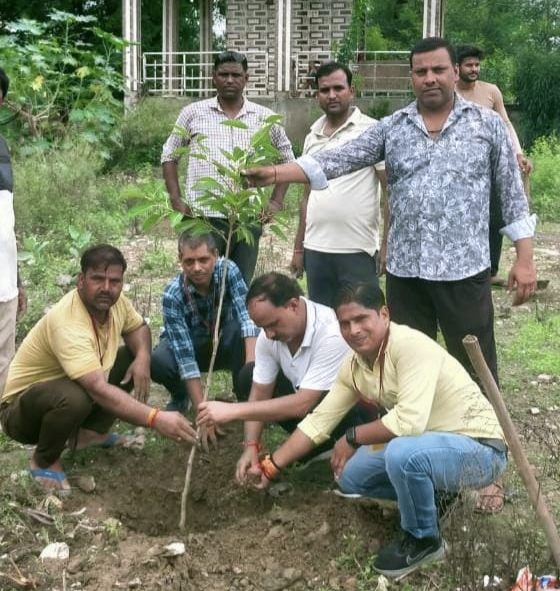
439 189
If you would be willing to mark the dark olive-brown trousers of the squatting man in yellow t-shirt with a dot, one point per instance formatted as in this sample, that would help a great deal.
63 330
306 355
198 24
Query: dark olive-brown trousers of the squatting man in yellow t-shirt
51 413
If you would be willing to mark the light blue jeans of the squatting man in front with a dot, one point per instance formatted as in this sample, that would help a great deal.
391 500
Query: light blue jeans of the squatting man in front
412 470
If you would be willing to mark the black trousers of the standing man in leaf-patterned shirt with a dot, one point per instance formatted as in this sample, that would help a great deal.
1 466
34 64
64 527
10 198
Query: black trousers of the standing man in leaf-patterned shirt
459 307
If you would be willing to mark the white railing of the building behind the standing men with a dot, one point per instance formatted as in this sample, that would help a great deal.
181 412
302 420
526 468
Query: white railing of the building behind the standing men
376 73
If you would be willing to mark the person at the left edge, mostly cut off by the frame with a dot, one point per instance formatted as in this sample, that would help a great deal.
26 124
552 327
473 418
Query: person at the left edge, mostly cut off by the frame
13 300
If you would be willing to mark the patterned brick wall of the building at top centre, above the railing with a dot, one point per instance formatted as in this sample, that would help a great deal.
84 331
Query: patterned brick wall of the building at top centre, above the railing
252 27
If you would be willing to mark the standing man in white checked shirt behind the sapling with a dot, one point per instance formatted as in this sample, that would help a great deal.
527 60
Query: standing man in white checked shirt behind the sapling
205 118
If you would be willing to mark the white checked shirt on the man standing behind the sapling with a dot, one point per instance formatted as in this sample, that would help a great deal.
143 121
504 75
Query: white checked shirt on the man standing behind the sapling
204 119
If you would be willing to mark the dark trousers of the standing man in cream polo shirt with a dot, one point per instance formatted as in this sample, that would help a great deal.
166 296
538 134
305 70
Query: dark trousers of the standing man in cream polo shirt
327 272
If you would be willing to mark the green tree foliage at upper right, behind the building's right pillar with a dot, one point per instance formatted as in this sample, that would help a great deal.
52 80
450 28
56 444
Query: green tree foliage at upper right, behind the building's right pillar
520 38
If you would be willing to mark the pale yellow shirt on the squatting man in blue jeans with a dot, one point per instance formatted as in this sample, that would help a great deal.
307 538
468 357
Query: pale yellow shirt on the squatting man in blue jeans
424 389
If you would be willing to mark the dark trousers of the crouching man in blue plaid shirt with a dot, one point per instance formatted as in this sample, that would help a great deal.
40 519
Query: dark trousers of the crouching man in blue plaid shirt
230 356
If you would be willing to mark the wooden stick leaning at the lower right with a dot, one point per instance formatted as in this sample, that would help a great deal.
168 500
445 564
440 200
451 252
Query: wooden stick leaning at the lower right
474 352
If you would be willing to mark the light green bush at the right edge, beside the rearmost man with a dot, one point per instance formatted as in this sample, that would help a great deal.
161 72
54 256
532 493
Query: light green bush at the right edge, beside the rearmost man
545 180
